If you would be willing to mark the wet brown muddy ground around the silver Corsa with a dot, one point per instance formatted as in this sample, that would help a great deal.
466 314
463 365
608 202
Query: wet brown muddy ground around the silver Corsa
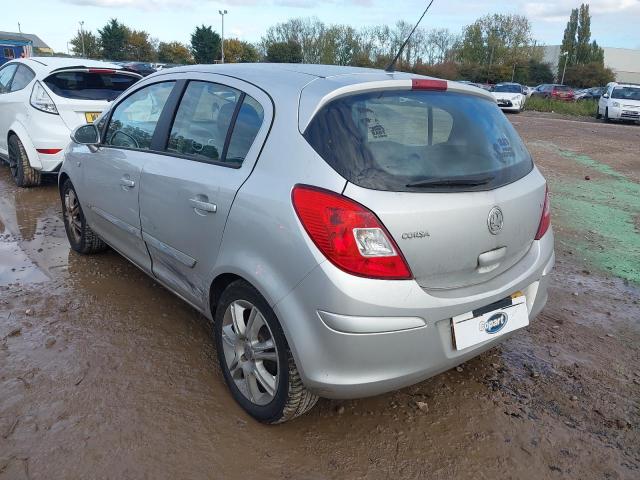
104 374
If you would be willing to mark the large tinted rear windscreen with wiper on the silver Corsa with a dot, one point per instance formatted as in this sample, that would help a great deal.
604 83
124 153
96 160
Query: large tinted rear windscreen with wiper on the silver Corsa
419 141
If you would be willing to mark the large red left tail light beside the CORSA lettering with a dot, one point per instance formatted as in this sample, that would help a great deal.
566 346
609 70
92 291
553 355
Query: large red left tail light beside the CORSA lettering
349 234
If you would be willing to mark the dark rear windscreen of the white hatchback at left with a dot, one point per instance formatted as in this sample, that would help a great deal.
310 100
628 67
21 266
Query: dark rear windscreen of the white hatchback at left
89 85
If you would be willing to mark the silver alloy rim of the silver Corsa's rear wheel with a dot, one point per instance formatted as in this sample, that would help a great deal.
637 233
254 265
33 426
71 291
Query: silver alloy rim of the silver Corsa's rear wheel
250 352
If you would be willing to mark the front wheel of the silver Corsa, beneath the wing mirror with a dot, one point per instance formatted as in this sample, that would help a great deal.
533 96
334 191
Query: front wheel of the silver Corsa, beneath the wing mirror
81 238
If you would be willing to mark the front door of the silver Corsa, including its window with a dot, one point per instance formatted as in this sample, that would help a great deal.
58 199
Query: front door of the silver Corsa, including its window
112 172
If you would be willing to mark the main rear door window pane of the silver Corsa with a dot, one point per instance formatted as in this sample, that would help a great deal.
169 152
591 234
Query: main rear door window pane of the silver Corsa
202 121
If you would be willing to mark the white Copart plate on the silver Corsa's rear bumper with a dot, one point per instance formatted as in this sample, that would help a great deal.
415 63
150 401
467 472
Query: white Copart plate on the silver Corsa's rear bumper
468 329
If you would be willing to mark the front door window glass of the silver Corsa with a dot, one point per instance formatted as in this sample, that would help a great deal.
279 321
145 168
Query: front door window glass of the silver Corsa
134 120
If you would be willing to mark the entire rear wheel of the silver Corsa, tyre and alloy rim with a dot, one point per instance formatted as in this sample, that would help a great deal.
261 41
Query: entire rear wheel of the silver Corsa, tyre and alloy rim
255 358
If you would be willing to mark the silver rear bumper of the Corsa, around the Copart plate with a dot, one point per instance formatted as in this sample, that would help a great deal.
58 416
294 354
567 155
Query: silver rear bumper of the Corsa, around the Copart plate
384 335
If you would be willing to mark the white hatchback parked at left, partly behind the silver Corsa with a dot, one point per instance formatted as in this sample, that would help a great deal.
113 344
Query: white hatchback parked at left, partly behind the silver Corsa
42 100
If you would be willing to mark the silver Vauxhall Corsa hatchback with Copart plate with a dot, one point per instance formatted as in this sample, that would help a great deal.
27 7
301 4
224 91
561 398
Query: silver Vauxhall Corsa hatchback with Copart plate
348 231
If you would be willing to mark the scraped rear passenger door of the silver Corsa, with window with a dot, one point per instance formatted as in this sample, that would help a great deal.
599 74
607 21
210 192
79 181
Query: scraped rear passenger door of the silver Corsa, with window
212 144
